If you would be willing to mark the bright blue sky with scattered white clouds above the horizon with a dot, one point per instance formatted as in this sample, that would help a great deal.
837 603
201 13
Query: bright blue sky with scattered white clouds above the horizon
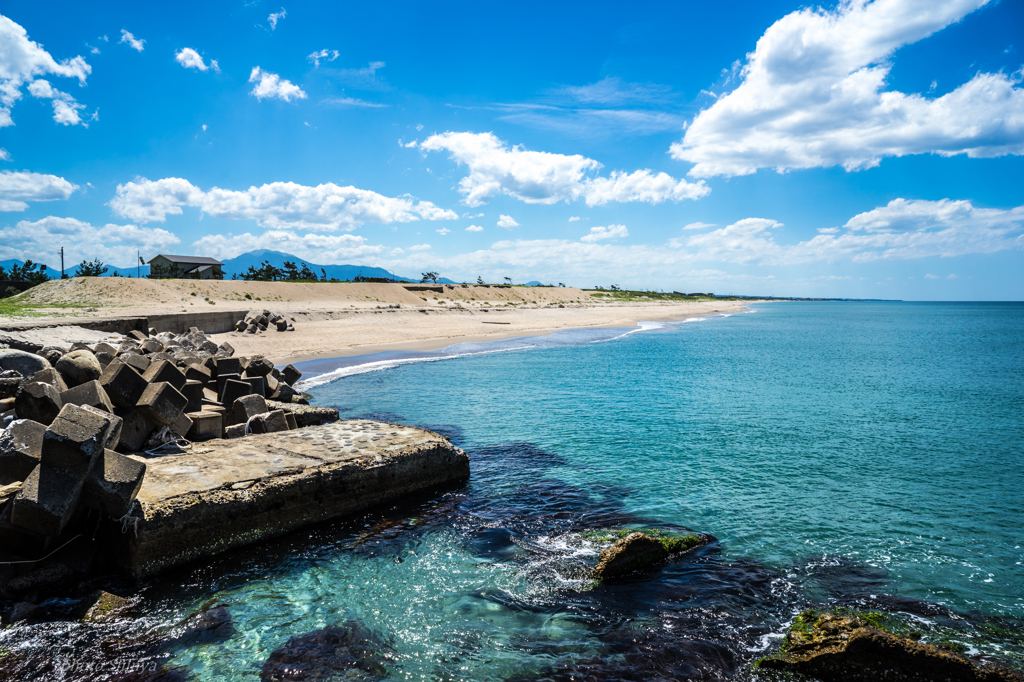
860 150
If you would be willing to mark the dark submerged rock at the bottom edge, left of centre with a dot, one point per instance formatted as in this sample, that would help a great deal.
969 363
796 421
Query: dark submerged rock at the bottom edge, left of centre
348 652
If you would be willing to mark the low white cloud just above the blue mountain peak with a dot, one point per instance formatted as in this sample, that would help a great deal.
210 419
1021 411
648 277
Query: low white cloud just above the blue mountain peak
315 248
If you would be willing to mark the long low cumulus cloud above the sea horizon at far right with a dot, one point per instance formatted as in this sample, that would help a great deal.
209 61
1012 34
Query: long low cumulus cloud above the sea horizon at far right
901 231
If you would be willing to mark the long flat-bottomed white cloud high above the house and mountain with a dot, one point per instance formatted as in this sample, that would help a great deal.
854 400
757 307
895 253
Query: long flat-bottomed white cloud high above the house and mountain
278 205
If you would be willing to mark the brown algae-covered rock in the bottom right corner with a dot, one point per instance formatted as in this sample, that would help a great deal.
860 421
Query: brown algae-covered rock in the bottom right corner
834 647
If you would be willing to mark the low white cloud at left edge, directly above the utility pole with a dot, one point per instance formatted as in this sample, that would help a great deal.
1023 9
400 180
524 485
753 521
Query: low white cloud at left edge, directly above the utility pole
42 240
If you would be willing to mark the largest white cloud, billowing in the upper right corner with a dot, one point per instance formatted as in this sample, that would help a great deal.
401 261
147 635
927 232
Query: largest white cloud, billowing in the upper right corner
814 95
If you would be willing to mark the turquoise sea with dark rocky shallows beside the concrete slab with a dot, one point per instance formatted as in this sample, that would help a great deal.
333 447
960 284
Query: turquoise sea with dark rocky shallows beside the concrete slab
867 456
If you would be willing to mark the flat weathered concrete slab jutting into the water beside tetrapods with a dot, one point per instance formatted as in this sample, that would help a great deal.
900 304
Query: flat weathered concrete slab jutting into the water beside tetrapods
227 494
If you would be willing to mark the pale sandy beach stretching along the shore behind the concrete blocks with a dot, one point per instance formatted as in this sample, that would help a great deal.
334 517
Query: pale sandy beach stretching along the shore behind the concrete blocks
346 319
